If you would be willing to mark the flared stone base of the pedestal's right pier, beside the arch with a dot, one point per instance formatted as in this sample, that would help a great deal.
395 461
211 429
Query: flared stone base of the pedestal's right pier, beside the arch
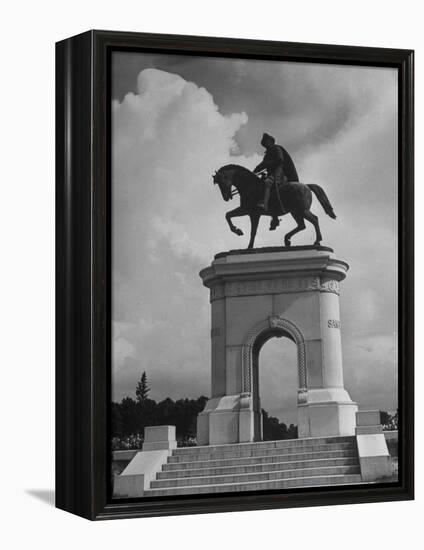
327 412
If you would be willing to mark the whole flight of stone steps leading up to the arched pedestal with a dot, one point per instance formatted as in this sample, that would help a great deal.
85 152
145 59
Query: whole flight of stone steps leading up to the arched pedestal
264 465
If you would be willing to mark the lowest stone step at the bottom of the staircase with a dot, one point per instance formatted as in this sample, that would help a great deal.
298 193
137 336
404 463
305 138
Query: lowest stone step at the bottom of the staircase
258 485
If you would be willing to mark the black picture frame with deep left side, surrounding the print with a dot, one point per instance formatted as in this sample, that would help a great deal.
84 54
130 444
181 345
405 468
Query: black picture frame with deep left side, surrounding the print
83 235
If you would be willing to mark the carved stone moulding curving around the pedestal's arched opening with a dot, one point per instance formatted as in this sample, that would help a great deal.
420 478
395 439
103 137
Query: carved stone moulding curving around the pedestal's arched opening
272 326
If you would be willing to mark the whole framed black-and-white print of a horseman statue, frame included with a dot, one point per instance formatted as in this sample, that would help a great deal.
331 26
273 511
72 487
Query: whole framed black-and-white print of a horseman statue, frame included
234 274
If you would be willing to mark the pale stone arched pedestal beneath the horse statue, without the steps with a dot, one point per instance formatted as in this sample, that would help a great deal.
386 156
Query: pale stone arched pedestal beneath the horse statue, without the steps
259 294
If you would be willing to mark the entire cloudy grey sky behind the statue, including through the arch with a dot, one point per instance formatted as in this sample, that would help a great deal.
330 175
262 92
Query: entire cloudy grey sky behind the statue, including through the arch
177 119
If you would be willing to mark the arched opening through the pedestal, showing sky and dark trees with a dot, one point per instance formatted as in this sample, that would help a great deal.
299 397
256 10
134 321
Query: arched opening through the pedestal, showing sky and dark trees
275 387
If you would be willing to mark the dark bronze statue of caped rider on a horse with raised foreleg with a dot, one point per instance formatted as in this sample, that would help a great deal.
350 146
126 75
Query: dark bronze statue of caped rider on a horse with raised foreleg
272 189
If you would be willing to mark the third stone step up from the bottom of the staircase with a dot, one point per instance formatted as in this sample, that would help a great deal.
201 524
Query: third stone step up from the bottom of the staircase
257 467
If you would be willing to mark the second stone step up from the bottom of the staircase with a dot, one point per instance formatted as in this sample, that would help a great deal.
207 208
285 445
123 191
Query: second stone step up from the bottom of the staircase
258 476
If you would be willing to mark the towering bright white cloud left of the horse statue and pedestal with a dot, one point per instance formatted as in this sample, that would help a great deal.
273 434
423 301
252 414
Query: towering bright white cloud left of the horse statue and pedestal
168 138
